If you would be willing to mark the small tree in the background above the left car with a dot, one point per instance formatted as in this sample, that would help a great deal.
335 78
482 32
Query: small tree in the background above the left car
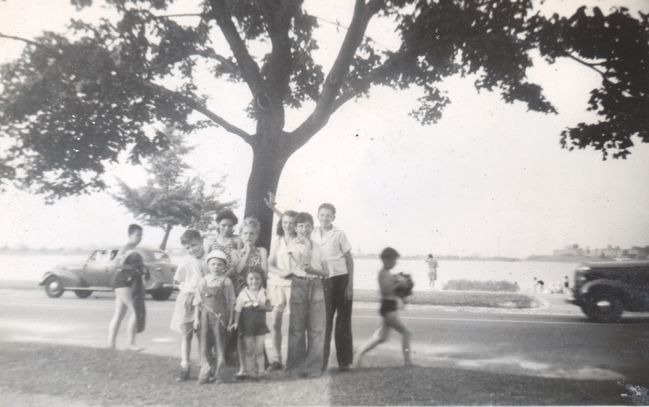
170 197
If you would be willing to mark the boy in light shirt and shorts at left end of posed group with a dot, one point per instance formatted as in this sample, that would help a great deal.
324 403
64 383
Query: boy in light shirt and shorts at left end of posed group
186 279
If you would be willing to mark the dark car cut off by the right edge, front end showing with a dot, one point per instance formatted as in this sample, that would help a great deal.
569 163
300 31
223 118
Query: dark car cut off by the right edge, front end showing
605 290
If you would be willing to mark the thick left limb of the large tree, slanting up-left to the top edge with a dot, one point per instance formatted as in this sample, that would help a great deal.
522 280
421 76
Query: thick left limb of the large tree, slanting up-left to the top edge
248 67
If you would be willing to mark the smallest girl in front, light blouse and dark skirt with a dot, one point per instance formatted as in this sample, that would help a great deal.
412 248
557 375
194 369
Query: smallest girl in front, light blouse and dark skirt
250 318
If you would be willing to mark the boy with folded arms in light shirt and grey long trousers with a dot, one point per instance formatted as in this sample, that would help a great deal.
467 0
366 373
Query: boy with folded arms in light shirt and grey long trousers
308 311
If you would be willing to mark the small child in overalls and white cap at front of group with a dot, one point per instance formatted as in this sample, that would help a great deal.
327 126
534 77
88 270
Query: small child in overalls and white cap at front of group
214 312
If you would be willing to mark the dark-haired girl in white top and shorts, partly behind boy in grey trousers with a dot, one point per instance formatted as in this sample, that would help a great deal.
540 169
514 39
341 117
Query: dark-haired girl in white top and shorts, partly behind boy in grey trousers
280 267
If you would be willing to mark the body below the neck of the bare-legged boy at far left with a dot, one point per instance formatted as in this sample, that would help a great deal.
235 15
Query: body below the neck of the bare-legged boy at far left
127 280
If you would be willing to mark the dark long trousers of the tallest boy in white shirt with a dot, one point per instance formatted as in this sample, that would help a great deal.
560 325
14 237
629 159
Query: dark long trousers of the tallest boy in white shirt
340 308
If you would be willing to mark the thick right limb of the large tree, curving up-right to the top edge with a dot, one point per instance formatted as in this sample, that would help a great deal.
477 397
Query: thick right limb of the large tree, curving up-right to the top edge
325 105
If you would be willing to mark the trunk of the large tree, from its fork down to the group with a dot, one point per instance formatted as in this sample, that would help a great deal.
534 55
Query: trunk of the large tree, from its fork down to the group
267 164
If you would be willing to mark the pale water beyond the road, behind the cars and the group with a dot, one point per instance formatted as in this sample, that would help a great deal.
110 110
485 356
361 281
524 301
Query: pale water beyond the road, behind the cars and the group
31 267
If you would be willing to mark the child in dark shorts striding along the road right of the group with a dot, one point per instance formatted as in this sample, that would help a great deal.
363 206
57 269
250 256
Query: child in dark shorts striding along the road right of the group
389 310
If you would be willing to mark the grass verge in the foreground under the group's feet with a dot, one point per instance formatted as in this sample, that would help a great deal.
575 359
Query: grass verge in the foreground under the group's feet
55 375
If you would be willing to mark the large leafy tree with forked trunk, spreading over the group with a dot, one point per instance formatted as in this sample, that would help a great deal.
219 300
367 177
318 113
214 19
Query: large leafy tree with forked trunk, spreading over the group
73 102
